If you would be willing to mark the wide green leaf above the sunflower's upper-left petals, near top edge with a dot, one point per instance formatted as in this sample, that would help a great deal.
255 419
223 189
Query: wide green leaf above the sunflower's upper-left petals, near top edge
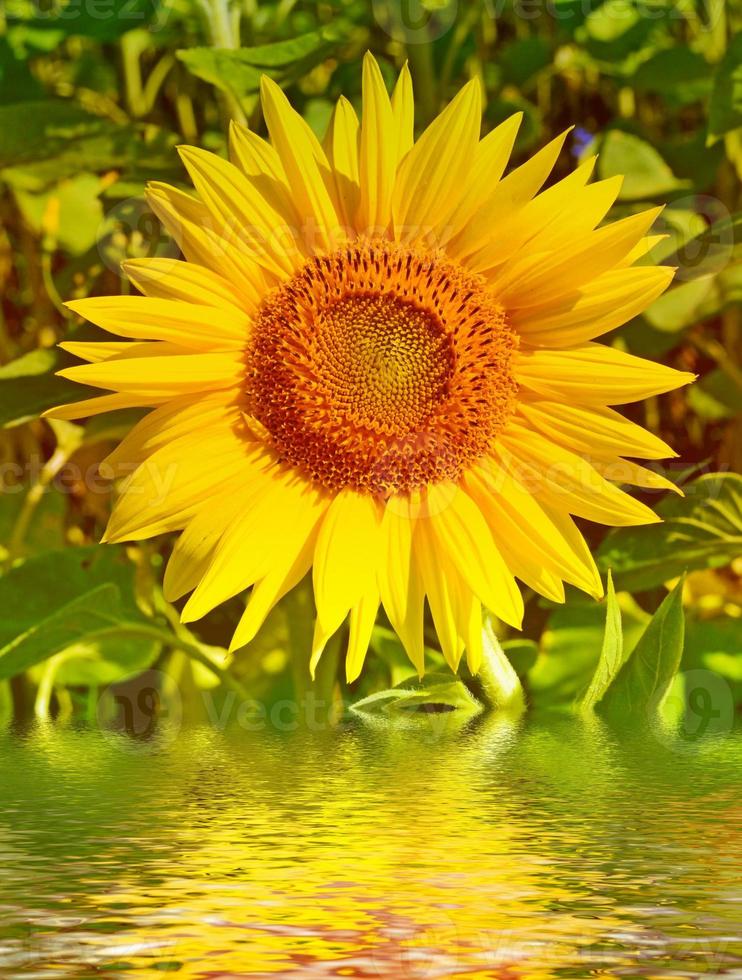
238 72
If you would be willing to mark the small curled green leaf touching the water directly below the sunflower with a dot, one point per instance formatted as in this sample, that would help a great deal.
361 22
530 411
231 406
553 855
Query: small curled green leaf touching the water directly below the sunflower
434 694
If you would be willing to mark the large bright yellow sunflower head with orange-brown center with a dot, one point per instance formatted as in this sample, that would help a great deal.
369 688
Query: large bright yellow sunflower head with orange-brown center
376 361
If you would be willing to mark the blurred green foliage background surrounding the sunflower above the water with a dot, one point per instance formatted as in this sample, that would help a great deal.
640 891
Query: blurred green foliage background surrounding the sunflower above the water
95 95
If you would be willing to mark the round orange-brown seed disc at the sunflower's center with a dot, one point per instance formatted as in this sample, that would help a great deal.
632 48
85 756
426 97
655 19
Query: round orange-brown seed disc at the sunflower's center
381 368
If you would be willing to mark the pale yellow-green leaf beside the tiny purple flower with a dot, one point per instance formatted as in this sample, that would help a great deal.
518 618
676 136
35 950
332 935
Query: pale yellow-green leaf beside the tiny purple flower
646 174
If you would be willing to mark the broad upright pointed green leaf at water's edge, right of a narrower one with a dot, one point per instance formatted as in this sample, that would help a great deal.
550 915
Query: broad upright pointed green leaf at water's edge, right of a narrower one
640 687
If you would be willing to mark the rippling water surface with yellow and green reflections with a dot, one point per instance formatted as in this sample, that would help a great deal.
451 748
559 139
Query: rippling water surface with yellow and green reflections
546 850
